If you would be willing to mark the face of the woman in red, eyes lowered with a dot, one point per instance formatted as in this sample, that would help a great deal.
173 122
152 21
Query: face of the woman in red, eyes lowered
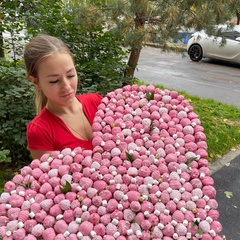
57 78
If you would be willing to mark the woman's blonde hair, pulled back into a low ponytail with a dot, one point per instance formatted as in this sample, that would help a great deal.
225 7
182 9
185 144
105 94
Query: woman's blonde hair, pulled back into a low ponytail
39 48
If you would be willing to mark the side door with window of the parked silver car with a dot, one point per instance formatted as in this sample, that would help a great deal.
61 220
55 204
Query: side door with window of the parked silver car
228 50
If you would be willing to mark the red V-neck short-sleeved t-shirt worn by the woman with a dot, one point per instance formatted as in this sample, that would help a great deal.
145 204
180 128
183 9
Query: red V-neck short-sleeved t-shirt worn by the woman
48 132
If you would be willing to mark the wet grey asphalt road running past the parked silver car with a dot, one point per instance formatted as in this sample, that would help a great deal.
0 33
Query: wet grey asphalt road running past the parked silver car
208 78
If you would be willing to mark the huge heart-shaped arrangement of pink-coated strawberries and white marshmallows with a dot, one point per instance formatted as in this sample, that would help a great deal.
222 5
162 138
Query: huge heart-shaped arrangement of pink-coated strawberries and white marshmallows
147 177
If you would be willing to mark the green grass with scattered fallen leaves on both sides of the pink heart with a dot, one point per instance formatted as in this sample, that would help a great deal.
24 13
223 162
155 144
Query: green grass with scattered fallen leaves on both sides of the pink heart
221 124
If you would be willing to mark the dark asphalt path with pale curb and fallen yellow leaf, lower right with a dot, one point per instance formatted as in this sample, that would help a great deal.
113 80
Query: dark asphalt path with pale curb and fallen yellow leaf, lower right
226 175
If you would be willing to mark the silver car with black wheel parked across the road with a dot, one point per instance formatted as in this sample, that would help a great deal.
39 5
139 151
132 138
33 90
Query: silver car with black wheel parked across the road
225 47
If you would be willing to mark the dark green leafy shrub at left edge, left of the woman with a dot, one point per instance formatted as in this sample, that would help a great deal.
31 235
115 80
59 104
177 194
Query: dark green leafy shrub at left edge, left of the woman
16 110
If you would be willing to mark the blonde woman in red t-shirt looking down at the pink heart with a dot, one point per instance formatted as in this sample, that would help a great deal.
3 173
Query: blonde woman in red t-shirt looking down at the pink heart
63 119
